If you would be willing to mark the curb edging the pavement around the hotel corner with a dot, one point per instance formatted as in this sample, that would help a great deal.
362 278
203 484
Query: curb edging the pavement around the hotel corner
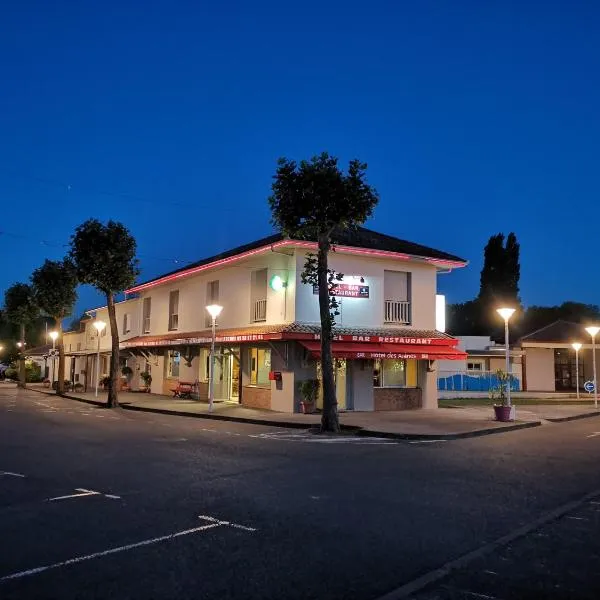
355 429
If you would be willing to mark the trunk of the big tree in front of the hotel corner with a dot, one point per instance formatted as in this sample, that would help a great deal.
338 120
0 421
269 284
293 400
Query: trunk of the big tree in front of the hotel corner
329 418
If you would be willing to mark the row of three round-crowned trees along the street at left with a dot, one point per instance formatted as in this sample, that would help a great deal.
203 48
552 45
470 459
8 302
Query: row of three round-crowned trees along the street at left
102 255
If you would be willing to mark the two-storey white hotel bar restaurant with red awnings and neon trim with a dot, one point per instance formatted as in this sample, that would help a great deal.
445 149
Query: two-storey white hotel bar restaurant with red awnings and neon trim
386 346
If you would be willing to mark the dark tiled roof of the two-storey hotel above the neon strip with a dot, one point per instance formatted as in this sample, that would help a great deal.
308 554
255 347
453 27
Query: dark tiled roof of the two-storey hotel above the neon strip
358 238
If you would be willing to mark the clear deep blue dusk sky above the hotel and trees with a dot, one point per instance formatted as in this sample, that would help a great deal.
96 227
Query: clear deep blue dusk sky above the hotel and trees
474 118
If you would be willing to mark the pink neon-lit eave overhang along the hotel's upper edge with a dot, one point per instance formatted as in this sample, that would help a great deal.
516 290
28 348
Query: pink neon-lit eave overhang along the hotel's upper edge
440 264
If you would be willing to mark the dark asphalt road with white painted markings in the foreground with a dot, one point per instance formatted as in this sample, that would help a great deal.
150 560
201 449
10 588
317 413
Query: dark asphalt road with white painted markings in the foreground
117 504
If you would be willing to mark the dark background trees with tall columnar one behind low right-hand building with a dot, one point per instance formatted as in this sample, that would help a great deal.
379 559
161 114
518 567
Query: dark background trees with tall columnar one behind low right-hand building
499 286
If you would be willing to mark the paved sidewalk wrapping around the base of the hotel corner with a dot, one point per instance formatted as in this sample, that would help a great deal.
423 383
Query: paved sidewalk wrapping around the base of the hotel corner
443 423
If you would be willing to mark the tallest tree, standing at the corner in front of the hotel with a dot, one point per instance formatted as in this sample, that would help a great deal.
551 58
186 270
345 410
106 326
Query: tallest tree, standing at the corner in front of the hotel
315 200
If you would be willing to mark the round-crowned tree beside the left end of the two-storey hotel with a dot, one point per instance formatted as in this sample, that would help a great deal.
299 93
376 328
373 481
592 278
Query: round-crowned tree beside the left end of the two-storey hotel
104 256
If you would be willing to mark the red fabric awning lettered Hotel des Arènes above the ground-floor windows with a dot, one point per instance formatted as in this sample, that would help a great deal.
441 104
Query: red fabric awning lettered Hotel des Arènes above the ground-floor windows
370 351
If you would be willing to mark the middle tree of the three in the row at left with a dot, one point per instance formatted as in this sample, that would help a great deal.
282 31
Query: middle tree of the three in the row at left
54 288
